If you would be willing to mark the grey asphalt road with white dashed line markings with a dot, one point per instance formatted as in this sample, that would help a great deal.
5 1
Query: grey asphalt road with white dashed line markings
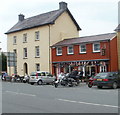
26 98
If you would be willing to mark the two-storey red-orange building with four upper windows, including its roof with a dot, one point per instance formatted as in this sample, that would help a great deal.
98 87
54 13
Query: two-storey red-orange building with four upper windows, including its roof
91 54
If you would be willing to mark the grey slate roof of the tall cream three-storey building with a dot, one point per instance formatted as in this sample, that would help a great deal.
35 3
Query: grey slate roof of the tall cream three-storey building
40 20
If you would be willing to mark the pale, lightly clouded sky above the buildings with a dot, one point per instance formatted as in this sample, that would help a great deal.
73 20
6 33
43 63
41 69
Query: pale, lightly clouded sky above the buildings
93 16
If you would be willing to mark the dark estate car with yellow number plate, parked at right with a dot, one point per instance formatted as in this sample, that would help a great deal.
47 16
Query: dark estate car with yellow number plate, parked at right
110 79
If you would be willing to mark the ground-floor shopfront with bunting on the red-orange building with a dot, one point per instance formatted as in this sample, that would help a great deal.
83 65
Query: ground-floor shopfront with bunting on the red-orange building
89 67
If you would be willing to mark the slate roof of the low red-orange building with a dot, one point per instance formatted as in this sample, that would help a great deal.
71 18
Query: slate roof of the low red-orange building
86 39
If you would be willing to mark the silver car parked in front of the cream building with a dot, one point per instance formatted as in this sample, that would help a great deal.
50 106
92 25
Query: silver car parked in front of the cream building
41 77
